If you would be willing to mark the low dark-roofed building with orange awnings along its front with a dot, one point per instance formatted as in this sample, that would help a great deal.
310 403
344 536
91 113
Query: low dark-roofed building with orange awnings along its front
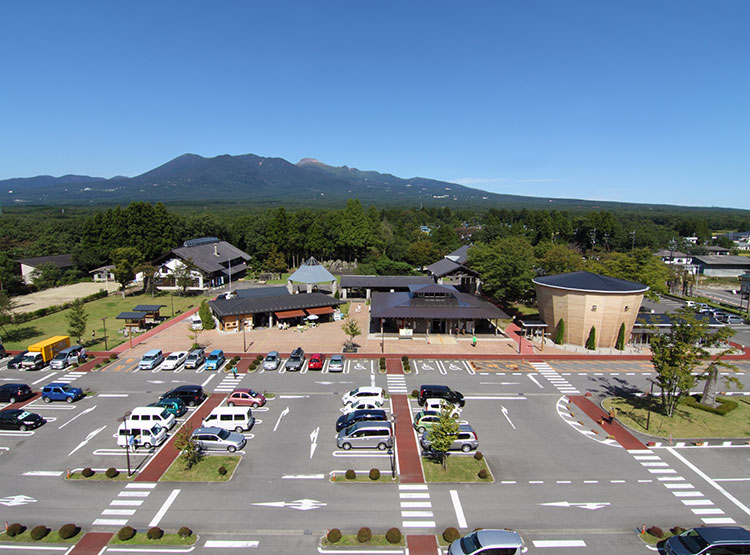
267 306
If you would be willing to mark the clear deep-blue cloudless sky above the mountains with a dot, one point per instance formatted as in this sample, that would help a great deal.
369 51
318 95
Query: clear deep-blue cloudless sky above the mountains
644 101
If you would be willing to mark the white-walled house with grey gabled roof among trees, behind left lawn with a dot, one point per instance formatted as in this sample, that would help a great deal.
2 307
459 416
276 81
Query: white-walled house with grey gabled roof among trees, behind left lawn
215 263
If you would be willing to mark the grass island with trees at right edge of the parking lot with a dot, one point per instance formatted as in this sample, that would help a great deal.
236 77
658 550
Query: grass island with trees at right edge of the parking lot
687 422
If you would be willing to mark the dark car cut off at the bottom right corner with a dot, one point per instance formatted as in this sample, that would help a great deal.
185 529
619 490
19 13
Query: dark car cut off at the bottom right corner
709 539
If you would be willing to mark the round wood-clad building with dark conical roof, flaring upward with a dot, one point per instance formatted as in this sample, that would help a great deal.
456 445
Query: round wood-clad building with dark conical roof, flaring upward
583 301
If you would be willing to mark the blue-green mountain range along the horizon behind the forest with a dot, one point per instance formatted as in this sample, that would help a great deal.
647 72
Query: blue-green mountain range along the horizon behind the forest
256 180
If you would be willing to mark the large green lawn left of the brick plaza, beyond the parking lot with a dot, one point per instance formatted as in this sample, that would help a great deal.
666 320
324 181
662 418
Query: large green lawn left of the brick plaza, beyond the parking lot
21 336
